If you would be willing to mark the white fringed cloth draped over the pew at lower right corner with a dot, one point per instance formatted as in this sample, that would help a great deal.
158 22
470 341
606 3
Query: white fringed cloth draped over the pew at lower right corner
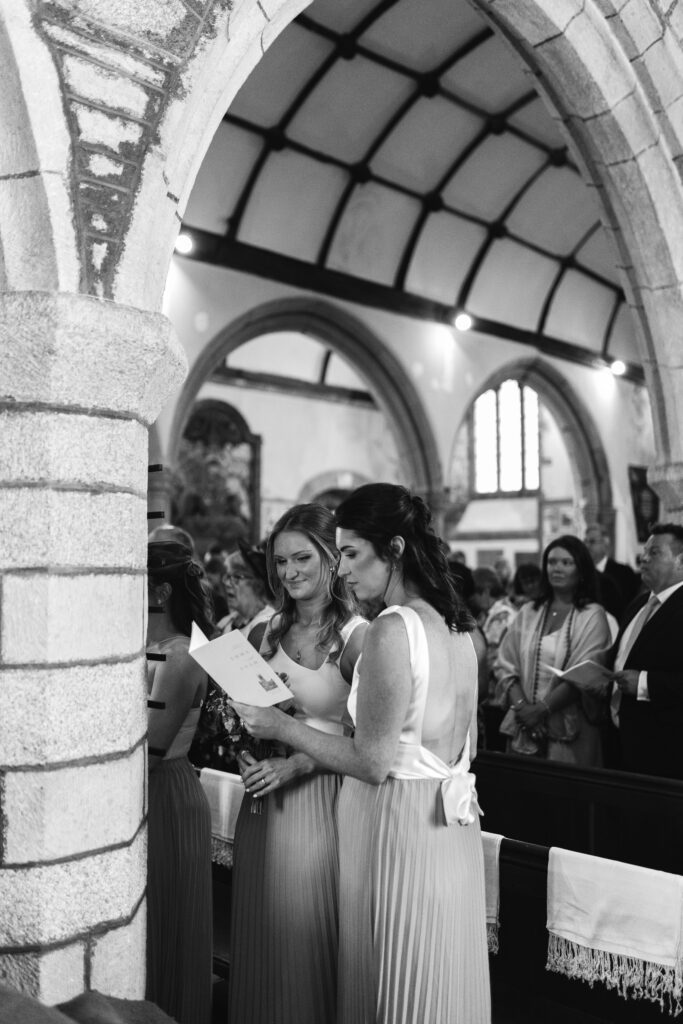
617 924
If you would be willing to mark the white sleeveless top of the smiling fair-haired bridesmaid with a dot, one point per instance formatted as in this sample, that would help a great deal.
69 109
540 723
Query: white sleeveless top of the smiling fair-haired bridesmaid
320 695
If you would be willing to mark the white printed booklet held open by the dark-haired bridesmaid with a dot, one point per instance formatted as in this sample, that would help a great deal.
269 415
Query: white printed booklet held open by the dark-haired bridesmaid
238 668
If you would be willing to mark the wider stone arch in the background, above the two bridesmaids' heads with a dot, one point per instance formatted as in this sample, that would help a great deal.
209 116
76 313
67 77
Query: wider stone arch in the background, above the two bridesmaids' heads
392 387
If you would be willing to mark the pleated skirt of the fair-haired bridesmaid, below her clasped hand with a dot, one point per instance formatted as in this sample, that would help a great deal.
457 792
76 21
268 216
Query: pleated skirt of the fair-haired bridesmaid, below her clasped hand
285 907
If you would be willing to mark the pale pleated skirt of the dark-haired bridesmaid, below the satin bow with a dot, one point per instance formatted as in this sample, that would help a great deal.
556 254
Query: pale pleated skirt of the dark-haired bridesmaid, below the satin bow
413 922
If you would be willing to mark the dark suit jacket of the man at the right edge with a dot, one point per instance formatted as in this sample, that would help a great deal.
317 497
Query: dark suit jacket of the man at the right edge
652 732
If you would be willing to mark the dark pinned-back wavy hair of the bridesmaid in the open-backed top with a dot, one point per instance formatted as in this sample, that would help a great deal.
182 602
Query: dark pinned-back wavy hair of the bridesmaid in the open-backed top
378 513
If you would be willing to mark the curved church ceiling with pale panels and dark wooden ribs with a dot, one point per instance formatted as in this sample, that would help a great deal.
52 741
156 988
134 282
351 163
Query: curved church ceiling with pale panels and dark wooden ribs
397 153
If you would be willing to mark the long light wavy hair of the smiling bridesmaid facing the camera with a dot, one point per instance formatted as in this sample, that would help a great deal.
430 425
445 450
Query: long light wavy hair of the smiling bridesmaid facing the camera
318 524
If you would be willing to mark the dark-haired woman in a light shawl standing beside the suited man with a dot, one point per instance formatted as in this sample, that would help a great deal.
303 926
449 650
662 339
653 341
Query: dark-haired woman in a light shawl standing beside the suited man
563 627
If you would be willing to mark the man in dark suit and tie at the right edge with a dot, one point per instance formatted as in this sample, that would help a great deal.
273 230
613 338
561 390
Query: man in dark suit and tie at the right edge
649 663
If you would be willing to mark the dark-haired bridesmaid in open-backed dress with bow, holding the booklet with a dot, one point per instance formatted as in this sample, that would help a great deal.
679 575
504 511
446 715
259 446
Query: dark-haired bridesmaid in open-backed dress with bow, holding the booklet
413 943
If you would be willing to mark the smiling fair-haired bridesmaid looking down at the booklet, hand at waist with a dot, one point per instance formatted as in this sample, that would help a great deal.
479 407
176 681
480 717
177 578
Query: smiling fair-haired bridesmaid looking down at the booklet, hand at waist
285 890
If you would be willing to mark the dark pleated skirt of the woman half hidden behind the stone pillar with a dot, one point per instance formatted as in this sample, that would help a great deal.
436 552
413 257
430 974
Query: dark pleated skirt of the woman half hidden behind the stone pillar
180 904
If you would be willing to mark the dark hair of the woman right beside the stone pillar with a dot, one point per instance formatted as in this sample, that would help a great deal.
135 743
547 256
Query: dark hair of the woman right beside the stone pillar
169 562
